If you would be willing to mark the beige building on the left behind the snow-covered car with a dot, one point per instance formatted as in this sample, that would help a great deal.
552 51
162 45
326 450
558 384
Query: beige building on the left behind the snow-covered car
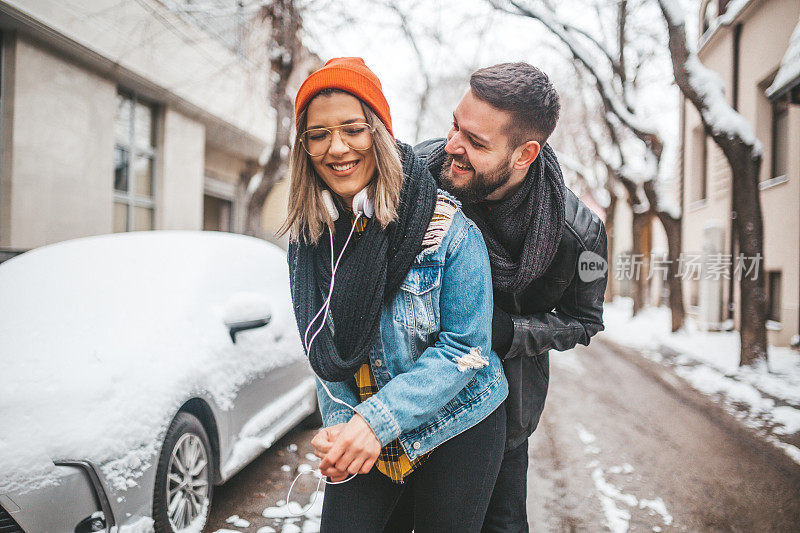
121 116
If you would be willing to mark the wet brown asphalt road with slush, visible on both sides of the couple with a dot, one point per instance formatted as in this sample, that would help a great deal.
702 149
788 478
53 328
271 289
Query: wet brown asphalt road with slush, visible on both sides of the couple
616 450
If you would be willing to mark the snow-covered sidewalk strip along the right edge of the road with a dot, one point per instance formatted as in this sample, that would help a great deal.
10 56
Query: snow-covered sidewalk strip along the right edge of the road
765 399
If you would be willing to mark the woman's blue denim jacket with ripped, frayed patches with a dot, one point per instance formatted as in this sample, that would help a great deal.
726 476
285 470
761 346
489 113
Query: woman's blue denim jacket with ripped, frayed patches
431 388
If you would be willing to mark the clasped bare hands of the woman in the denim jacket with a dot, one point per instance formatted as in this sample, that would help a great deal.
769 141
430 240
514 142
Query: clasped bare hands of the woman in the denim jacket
346 449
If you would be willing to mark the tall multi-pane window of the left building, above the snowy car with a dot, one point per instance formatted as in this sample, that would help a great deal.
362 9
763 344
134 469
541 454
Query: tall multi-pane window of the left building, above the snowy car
134 164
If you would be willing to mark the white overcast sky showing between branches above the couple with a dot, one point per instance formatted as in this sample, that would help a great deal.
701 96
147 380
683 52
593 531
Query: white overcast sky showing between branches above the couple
470 35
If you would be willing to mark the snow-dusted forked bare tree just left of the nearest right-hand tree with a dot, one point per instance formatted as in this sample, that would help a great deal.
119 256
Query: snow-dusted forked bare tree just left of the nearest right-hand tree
614 80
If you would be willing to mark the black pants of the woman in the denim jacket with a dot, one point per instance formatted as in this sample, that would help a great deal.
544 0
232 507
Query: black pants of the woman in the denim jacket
449 492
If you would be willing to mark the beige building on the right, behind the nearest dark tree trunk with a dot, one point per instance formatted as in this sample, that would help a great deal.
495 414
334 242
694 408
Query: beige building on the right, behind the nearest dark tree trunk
746 43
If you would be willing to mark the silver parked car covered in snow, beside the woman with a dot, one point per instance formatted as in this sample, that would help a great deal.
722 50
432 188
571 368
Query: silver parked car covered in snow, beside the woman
139 370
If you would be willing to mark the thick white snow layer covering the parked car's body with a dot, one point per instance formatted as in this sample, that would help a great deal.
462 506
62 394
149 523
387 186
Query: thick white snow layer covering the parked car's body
103 338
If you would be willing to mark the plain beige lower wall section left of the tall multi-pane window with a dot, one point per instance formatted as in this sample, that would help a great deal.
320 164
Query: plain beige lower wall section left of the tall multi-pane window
62 148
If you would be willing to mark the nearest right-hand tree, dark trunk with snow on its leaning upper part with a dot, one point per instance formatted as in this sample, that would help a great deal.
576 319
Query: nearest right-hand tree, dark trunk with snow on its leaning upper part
735 137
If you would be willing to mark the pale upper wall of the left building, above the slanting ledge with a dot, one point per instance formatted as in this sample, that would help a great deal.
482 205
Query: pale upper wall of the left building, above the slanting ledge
149 40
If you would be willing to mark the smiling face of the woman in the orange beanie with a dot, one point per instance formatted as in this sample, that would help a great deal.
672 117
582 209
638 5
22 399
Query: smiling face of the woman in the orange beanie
345 171
